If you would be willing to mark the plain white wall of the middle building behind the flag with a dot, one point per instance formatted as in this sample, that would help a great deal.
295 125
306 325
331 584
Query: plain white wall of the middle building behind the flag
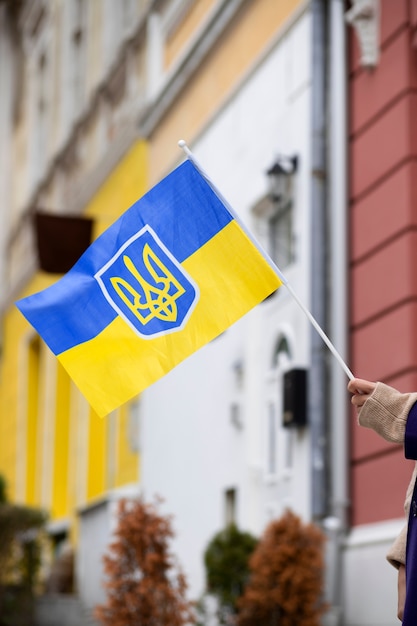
192 452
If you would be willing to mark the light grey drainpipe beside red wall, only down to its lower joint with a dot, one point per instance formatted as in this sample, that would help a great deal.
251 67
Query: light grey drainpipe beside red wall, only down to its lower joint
338 254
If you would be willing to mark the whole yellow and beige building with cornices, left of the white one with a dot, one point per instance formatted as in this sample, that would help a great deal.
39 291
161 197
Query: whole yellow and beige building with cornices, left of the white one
103 94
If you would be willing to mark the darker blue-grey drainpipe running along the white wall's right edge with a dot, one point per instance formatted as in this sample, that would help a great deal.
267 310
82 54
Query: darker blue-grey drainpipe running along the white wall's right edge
317 386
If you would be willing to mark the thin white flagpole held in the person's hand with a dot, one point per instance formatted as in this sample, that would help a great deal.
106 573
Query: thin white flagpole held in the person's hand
182 144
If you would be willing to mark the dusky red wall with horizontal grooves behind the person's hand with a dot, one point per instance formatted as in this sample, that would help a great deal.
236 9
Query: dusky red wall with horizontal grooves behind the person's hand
383 251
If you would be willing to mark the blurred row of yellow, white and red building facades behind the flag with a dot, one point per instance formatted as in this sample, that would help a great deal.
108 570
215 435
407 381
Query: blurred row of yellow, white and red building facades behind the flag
303 113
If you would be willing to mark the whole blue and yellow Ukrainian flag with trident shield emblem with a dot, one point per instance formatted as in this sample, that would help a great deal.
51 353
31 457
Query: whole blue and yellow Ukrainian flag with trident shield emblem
167 277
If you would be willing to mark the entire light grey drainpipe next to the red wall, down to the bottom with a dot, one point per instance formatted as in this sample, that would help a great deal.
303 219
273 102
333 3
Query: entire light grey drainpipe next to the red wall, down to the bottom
337 522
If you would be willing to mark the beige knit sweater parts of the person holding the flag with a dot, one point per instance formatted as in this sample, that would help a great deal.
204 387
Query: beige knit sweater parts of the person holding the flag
386 412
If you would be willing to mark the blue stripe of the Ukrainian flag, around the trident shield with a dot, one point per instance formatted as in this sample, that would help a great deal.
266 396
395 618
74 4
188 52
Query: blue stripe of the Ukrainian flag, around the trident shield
182 210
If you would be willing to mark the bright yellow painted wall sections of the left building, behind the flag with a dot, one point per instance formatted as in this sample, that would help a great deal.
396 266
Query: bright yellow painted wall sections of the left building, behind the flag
55 452
